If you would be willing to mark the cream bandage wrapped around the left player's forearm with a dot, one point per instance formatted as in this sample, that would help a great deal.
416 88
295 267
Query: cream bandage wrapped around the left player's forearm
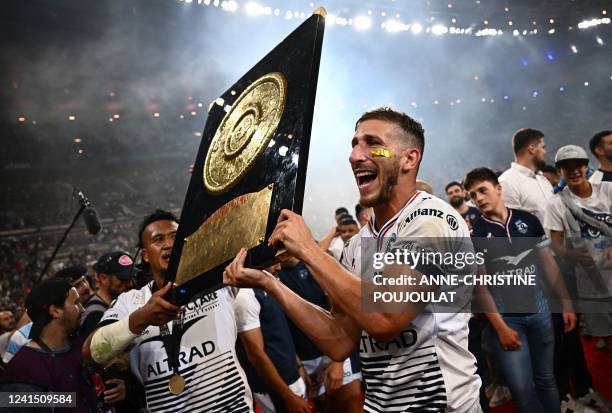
110 340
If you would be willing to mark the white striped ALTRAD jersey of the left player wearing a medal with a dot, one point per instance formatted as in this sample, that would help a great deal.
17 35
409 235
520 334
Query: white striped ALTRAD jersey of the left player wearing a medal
214 378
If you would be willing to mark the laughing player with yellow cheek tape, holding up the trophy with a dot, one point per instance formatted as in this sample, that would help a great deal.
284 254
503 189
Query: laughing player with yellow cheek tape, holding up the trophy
414 359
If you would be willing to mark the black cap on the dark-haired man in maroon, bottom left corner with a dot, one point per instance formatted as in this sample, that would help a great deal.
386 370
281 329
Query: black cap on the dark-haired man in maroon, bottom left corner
52 291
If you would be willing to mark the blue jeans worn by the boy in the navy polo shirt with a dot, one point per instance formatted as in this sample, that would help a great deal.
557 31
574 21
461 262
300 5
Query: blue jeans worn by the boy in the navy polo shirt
529 371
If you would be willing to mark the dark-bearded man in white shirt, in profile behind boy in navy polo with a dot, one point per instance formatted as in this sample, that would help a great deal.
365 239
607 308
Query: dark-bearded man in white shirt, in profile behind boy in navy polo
524 186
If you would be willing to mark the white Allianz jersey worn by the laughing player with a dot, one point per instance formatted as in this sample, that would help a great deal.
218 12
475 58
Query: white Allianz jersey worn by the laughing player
428 366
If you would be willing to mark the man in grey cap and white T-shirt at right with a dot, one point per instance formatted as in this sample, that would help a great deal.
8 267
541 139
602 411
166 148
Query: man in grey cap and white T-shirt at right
580 222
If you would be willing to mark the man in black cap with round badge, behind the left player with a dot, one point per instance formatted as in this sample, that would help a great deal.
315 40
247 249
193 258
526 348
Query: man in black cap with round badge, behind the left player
113 277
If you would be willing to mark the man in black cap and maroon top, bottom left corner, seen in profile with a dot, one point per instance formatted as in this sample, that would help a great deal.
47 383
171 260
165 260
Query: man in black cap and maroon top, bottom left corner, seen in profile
52 360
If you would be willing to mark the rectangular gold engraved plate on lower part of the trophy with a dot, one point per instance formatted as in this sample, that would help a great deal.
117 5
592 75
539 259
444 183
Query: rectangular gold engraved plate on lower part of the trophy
239 223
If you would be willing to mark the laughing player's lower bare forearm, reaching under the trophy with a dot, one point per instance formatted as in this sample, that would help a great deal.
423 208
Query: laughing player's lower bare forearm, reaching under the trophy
320 325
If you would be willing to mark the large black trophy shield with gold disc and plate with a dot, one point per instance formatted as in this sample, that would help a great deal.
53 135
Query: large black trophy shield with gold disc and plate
250 165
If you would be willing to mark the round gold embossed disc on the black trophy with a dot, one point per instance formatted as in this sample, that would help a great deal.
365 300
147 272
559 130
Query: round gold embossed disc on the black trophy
245 133
